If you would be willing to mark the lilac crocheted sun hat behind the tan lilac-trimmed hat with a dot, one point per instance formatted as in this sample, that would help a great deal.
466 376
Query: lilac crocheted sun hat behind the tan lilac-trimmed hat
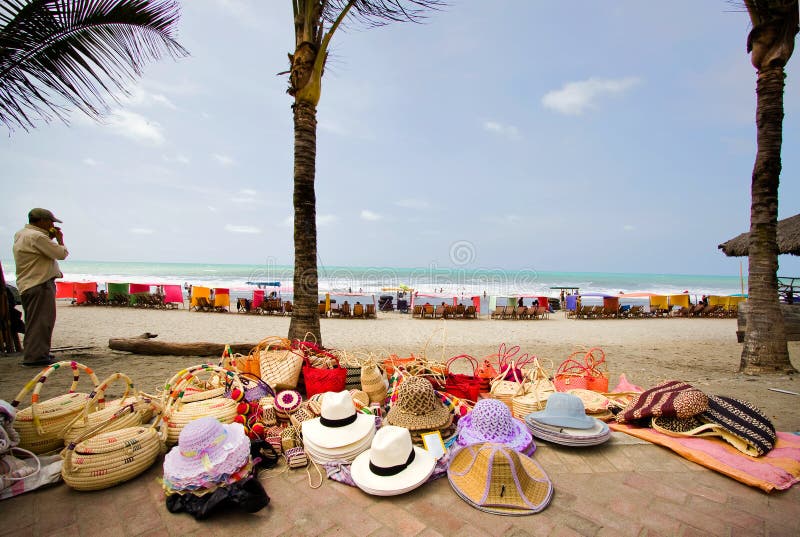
491 421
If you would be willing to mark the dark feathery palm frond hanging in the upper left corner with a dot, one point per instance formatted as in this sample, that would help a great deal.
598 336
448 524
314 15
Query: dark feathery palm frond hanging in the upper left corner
78 51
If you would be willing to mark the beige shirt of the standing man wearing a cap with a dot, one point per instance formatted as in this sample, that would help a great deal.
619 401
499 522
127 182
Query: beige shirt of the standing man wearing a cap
35 255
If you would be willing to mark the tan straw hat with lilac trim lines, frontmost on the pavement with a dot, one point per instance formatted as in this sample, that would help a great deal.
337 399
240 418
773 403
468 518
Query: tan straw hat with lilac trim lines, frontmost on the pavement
499 480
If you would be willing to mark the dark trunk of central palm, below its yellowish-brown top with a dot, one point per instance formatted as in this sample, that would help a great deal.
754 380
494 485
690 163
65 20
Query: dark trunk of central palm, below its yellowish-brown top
305 316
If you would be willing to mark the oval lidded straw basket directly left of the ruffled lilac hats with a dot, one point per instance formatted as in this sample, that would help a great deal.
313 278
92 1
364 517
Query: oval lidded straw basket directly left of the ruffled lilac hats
103 458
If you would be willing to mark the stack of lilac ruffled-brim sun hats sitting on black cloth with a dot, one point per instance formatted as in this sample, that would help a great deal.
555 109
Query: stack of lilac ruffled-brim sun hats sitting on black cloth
209 454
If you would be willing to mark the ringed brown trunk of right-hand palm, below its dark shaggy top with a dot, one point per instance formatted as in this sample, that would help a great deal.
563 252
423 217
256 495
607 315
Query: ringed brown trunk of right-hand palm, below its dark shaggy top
765 348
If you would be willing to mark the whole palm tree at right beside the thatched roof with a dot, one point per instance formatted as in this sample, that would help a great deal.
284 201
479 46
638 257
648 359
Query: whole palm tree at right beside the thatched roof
771 43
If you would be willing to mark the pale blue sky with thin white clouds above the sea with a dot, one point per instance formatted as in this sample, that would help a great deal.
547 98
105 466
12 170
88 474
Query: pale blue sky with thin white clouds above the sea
531 134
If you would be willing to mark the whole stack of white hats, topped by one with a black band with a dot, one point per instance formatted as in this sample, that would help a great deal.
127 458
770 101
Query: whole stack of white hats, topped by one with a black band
340 433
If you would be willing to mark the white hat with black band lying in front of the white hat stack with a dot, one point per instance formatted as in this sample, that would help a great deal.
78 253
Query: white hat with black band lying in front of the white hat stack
393 465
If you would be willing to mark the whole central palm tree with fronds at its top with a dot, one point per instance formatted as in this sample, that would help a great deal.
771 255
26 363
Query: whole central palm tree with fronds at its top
315 22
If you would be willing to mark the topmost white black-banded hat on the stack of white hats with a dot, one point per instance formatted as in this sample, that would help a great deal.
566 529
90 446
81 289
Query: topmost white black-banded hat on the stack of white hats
339 424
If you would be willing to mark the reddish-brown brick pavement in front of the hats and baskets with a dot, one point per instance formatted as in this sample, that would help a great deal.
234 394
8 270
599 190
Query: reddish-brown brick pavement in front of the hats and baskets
626 487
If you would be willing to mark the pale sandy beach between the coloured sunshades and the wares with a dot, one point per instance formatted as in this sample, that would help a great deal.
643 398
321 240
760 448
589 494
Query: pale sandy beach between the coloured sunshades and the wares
701 351
